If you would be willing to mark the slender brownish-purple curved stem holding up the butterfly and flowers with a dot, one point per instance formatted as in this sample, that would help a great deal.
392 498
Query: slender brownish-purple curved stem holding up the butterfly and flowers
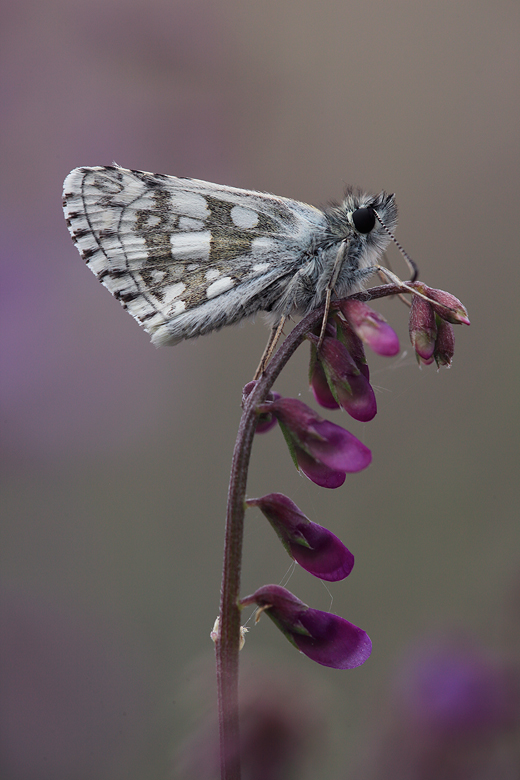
227 644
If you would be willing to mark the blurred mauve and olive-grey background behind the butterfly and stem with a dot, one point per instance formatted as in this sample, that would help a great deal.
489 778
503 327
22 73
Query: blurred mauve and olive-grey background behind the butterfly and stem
115 456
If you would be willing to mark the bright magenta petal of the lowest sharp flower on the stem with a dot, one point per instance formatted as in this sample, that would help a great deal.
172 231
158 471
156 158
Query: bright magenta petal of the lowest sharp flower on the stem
333 641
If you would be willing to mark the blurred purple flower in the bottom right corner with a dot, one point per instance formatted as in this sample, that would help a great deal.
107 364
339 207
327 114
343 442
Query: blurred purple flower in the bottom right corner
453 714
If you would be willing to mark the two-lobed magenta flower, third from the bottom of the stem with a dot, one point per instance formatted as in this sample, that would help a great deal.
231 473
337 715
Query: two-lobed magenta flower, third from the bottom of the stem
323 451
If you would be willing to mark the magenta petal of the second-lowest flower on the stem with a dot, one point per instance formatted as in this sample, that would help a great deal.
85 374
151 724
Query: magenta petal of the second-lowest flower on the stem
326 558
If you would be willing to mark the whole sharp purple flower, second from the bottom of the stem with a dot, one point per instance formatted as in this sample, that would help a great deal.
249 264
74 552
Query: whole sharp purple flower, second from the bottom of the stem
315 548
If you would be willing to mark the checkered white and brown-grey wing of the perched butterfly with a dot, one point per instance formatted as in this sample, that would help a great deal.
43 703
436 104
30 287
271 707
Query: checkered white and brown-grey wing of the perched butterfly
182 255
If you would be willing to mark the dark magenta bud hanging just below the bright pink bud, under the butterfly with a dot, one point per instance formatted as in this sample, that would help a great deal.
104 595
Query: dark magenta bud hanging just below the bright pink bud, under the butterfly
348 386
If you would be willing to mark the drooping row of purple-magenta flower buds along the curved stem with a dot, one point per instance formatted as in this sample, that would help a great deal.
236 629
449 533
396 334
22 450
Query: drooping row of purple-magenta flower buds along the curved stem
325 452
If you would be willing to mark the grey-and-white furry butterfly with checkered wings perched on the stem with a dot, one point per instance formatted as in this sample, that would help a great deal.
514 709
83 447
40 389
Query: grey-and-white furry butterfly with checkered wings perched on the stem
186 257
